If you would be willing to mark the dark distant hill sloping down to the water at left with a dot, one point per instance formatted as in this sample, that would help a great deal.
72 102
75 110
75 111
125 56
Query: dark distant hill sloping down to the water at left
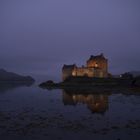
10 76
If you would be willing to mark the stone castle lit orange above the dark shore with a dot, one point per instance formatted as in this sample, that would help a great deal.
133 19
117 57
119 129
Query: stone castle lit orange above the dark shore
96 66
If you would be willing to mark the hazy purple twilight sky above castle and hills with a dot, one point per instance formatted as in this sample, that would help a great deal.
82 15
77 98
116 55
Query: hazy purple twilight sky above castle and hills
38 36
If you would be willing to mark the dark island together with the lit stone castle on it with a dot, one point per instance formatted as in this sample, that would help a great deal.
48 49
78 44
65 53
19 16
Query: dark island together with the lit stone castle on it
94 74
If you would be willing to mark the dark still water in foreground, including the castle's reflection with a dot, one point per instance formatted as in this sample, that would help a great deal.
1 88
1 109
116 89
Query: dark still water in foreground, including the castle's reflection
32 113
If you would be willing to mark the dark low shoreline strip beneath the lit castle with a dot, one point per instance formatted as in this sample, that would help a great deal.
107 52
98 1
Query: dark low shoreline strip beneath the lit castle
92 83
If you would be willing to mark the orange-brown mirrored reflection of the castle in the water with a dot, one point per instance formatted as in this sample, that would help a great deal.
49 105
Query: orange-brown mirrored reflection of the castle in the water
96 102
